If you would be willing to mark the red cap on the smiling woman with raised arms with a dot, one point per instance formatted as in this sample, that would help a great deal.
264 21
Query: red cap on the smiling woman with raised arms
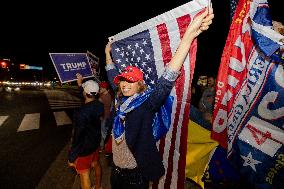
131 74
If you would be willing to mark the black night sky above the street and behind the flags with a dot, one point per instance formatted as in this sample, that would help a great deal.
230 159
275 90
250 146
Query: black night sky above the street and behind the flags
29 31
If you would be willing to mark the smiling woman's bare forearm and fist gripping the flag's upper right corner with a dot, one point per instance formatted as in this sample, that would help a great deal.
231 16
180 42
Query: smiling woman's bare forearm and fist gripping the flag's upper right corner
198 25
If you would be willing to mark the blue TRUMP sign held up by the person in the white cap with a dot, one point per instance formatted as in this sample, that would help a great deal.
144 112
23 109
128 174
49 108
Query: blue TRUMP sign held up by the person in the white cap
67 65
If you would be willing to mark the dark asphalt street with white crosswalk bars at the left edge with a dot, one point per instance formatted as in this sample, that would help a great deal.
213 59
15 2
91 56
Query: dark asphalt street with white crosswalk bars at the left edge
35 130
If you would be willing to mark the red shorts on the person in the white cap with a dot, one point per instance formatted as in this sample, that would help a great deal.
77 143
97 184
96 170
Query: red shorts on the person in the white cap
83 164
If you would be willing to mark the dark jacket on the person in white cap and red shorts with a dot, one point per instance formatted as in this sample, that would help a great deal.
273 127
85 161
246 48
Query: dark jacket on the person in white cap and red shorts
87 130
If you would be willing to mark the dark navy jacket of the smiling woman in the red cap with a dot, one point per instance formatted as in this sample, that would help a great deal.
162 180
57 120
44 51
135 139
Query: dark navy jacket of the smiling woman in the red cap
138 129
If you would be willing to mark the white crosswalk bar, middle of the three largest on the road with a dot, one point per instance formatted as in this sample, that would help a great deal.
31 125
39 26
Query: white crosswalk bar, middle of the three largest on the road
30 122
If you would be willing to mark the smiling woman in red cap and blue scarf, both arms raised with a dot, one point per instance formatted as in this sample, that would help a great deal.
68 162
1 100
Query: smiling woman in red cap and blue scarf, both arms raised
136 159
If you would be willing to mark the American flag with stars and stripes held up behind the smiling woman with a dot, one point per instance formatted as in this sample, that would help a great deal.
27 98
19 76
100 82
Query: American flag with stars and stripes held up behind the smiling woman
150 46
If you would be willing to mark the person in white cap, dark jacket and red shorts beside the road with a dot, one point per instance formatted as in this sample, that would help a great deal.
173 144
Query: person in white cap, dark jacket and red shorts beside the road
84 151
